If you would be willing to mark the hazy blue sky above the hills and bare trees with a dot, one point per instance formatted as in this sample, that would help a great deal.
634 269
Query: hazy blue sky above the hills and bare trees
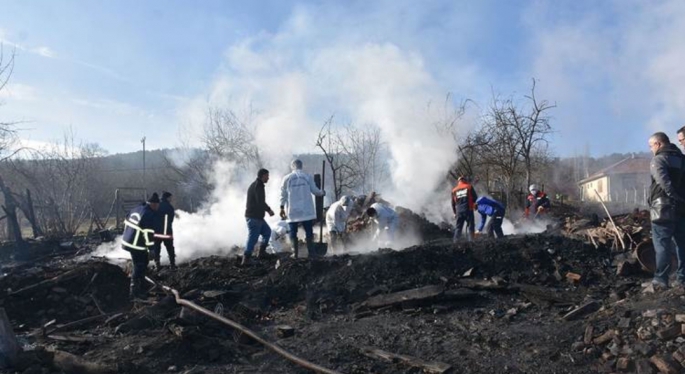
116 71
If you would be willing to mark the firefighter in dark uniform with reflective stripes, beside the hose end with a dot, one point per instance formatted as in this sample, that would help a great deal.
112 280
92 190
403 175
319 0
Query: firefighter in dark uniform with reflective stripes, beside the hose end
139 229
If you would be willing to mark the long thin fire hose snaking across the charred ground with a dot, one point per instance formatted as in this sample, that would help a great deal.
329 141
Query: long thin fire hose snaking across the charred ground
287 355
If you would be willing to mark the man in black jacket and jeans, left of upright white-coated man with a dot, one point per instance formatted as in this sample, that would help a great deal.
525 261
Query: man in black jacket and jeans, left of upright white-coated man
254 215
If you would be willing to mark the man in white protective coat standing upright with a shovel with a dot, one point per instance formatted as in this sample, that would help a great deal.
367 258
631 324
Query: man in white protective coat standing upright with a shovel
297 204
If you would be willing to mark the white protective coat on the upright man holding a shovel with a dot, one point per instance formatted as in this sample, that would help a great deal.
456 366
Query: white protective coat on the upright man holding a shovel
296 196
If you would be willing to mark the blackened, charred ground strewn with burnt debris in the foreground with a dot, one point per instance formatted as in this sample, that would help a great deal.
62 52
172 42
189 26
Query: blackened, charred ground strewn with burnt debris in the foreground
496 306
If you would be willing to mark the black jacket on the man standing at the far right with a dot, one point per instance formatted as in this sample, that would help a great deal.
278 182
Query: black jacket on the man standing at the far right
668 176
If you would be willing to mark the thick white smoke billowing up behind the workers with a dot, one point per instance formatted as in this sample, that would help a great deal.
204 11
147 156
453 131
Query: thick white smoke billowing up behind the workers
290 95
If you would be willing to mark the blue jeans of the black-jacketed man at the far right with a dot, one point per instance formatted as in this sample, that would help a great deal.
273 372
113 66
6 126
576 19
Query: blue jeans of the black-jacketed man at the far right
663 237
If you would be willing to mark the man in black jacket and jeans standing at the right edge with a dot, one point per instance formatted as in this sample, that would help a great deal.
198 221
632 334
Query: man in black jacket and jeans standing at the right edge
667 207
